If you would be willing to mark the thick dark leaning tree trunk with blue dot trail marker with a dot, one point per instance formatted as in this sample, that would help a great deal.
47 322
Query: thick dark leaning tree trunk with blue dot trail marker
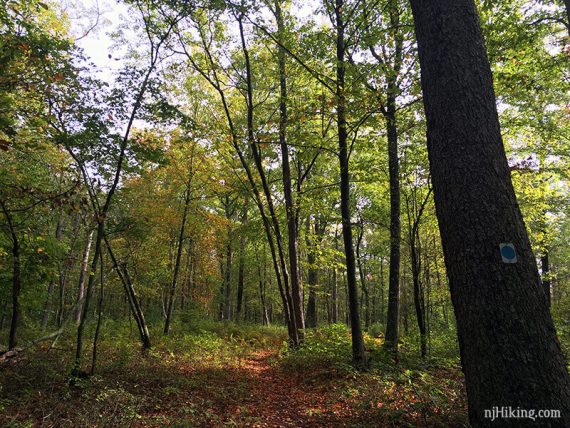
509 351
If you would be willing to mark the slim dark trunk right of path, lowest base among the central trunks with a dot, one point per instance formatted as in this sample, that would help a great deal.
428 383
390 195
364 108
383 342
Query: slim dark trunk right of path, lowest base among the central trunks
358 349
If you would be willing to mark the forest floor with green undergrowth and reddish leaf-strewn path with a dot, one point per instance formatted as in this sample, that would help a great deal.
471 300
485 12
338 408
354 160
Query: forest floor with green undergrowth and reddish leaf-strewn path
228 378
